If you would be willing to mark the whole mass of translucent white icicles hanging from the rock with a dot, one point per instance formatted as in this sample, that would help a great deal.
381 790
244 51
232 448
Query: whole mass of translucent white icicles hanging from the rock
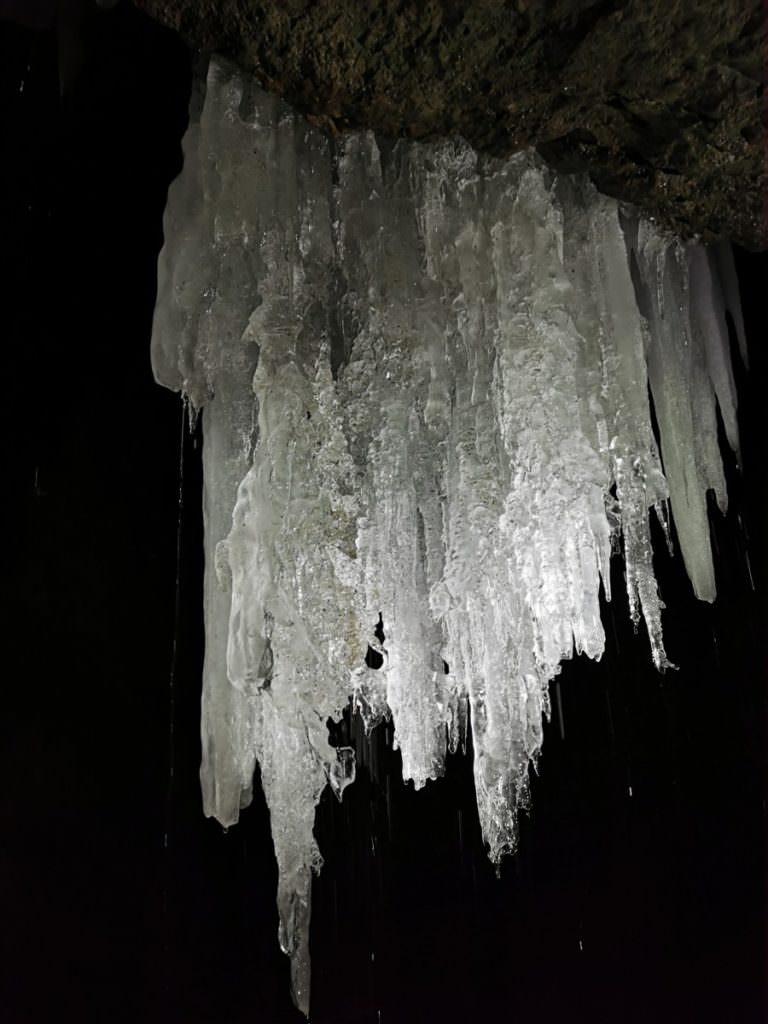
426 381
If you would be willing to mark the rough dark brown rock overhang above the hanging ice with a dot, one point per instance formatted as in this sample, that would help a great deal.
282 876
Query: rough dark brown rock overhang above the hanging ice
660 100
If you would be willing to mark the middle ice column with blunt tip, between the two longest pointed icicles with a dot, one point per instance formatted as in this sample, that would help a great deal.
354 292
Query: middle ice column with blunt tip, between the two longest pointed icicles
393 311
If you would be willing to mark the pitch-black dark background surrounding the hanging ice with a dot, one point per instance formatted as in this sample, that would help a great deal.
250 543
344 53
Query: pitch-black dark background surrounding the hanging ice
638 891
